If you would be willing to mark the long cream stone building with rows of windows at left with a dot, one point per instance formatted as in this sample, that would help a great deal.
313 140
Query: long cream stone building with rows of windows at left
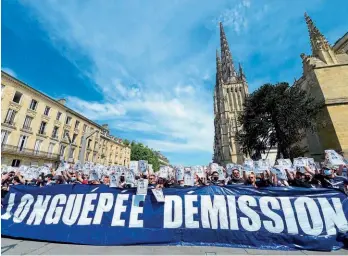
34 128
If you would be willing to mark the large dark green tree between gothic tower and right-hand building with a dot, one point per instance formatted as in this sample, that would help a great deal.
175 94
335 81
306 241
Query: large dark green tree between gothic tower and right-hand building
276 115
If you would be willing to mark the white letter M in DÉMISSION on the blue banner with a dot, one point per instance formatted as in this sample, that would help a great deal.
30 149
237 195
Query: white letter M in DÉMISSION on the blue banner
214 210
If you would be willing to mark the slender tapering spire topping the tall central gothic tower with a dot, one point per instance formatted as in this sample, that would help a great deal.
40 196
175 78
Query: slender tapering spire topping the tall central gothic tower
228 71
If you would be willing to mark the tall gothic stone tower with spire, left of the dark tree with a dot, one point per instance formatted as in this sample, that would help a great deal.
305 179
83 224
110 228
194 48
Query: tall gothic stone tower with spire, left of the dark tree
230 91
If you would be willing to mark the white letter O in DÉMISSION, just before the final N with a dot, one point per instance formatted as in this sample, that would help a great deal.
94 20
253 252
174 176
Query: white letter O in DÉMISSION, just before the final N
302 216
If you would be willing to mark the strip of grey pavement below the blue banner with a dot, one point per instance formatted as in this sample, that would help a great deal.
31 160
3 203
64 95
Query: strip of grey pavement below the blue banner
23 247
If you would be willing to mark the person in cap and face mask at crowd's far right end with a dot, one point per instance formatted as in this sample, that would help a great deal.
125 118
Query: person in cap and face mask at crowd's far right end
329 179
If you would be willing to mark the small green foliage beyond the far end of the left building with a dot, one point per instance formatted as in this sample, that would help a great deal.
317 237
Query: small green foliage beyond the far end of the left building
141 152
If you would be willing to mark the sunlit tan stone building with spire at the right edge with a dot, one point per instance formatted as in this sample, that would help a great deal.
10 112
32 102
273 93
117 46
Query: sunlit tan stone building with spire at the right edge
325 77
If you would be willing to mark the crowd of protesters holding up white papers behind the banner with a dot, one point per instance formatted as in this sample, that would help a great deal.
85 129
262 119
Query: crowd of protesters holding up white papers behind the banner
325 177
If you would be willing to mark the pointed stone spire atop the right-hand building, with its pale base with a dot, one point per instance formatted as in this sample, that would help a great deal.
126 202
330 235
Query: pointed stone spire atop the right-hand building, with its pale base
320 46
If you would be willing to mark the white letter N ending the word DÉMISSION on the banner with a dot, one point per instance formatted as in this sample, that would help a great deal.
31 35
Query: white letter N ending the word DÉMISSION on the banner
333 217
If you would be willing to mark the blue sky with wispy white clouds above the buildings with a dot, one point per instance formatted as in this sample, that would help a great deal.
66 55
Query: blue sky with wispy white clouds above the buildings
147 68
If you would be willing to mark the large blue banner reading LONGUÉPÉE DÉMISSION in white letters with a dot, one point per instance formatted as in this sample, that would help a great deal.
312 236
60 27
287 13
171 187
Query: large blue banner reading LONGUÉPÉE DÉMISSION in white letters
236 216
